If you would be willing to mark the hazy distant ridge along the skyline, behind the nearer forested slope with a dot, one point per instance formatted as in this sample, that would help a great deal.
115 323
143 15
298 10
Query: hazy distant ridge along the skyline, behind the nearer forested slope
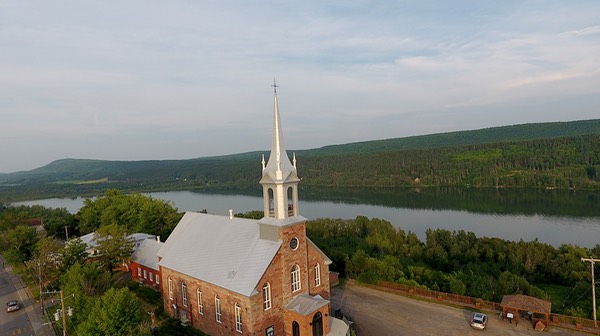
245 167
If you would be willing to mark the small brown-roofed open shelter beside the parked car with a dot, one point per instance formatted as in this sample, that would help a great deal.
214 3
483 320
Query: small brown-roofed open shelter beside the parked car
529 307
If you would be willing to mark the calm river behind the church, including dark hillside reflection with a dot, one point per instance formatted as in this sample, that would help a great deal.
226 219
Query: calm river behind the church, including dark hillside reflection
551 217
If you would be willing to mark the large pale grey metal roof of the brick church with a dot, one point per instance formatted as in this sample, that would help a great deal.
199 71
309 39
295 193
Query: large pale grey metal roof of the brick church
223 251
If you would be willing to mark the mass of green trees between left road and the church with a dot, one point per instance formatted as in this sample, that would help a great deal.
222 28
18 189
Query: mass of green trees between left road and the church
103 303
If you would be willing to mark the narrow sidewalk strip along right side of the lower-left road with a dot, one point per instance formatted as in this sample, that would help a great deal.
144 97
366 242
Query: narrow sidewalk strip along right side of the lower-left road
32 308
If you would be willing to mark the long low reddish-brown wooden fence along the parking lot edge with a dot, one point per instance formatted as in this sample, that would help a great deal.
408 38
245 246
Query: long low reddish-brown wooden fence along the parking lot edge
563 321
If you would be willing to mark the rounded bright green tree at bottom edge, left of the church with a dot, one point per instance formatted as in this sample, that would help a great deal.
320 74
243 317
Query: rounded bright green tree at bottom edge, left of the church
117 312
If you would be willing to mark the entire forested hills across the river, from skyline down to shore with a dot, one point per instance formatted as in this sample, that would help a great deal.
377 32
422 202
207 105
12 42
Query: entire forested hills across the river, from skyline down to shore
546 155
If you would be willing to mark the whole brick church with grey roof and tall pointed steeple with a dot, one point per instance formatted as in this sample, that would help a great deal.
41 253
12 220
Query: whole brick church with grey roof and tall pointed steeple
234 276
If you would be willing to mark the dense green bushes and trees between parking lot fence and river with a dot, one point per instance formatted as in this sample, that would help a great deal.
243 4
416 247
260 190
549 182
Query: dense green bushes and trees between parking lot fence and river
459 262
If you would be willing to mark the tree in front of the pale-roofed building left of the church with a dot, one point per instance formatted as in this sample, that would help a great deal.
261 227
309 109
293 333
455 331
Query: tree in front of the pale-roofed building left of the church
113 245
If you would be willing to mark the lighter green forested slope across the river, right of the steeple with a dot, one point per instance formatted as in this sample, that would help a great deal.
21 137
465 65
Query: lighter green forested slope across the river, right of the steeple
572 162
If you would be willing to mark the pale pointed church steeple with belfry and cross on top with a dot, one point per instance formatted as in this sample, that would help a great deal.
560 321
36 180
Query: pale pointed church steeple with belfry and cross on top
279 176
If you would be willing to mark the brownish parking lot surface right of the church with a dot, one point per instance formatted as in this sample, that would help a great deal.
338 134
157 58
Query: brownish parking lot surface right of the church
380 313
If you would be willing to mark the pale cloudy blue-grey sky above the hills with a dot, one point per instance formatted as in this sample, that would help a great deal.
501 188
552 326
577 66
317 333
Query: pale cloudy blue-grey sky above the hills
180 79
